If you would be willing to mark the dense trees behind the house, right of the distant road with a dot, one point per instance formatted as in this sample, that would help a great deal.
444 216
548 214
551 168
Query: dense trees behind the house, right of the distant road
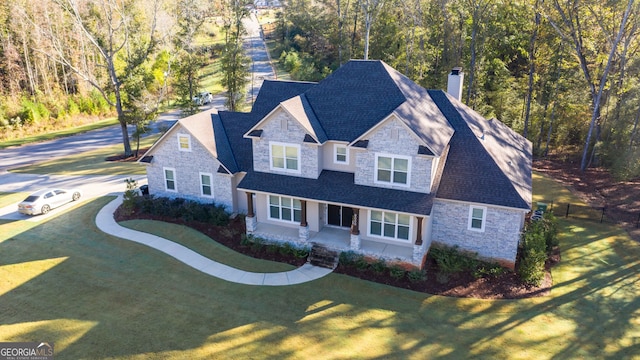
562 73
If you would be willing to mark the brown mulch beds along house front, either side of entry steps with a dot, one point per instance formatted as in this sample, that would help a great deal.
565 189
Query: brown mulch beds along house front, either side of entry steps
463 284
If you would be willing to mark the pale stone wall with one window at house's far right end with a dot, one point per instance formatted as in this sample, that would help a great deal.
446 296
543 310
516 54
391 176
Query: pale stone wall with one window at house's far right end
498 241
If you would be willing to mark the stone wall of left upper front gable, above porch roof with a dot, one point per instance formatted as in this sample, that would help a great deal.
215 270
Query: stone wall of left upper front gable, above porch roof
293 134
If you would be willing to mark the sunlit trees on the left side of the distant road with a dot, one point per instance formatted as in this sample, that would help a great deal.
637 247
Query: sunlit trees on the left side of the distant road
62 57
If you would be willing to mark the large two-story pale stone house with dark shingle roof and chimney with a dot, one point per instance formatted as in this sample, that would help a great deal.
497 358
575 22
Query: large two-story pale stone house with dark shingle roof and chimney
364 160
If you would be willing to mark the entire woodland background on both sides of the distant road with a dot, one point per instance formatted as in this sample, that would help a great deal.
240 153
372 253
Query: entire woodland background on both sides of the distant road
564 74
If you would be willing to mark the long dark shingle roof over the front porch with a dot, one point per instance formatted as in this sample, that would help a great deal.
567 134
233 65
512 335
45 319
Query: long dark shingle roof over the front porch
340 188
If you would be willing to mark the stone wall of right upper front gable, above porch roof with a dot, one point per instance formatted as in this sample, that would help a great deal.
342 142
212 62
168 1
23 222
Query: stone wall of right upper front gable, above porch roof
406 144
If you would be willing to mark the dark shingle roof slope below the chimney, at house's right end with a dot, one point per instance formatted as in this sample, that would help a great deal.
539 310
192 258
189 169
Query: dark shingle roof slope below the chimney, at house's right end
477 169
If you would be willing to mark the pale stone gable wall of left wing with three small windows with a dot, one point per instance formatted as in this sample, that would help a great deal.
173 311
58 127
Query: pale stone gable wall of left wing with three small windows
188 165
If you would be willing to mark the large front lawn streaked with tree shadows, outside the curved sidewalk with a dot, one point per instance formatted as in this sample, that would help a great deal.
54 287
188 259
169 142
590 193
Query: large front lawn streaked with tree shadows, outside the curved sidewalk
108 297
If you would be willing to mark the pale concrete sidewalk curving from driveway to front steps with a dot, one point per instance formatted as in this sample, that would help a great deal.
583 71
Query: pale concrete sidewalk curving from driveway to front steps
106 223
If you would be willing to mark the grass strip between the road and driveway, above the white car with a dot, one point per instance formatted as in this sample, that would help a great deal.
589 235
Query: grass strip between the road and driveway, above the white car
91 163
